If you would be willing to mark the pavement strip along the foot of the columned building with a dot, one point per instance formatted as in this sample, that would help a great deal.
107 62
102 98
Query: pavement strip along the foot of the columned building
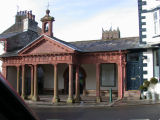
87 101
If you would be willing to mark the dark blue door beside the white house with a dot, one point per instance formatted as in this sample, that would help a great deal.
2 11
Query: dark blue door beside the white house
133 77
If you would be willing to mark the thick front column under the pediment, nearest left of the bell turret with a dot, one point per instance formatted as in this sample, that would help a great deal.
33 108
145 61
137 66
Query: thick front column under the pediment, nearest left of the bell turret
35 95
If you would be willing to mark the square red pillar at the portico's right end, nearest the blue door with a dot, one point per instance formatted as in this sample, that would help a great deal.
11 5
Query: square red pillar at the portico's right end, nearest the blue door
120 79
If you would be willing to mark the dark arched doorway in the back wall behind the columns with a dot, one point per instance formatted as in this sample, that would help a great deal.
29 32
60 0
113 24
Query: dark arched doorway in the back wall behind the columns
82 78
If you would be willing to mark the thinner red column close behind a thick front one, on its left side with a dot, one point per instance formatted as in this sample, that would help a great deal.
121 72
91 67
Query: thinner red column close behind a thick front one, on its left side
32 82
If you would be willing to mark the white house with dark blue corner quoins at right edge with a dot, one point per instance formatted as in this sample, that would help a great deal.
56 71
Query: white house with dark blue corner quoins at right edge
149 27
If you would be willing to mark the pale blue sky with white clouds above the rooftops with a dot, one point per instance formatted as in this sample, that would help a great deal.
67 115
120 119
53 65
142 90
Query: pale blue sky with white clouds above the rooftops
77 20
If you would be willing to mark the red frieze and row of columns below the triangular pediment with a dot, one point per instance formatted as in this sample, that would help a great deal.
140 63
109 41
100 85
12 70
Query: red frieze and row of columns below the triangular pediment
71 59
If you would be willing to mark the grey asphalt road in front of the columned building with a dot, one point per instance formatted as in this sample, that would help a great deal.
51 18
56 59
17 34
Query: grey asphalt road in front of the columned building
141 112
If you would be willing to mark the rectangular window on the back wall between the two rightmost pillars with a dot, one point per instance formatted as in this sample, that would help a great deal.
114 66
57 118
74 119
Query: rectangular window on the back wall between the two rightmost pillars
108 75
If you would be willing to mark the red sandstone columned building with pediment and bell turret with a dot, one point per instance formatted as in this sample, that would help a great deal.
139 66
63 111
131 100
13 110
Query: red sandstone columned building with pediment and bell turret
64 60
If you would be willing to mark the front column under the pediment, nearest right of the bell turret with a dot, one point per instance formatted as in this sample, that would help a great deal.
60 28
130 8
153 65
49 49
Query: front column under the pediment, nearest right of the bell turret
56 97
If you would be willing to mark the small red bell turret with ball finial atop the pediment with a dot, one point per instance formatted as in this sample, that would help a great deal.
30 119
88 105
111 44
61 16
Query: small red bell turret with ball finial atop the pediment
47 22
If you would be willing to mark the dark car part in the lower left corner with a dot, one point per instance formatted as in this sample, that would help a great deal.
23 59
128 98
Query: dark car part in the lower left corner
12 106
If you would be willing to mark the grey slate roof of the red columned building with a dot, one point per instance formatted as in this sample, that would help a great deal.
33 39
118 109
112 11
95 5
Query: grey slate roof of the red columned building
129 43
